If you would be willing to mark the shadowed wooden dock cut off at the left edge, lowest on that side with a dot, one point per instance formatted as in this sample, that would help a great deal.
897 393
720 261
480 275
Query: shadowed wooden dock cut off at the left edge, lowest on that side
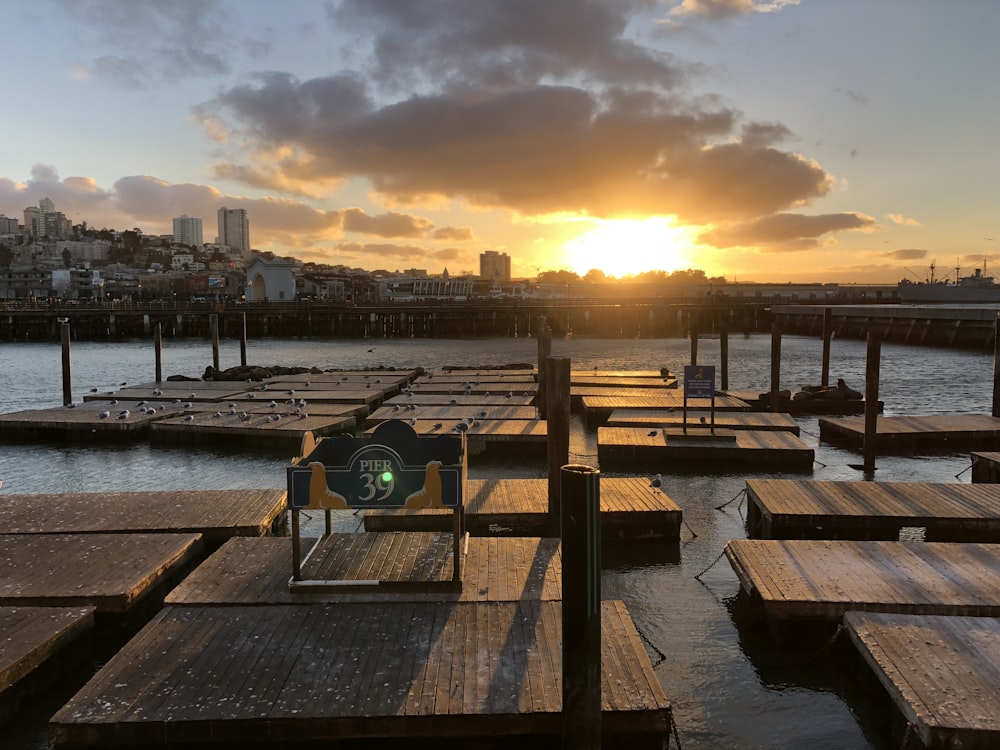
39 645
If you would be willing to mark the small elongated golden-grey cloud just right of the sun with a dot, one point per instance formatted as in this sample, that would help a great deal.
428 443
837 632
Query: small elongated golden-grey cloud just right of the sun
785 232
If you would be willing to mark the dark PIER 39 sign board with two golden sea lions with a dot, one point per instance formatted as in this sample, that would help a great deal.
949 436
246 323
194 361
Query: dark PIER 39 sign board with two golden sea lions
391 468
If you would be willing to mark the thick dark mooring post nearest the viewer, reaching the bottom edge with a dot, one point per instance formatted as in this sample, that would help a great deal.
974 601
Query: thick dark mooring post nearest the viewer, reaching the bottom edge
580 524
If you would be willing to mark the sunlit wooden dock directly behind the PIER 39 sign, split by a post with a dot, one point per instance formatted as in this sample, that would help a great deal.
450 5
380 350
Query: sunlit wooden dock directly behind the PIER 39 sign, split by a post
630 510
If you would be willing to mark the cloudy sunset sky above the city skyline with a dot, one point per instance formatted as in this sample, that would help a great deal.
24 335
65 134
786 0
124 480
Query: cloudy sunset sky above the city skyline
847 141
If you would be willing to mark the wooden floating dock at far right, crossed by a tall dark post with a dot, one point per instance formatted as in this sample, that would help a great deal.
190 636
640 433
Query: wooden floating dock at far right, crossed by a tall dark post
946 433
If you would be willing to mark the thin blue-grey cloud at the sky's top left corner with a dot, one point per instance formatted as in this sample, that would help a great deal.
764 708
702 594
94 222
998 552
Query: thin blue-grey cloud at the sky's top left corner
157 42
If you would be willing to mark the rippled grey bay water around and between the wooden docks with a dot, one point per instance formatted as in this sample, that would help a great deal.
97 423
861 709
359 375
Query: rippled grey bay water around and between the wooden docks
730 686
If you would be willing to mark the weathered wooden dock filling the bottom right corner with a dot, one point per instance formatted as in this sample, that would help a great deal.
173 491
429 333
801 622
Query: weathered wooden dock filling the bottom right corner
943 673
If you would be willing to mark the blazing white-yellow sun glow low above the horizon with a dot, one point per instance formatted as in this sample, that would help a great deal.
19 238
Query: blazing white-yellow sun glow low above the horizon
622 247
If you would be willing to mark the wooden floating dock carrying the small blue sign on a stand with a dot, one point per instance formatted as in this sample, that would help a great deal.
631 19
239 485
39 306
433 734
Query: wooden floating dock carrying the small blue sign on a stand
656 449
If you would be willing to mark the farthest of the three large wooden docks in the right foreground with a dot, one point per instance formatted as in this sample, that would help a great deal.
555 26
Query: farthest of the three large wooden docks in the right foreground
792 509
